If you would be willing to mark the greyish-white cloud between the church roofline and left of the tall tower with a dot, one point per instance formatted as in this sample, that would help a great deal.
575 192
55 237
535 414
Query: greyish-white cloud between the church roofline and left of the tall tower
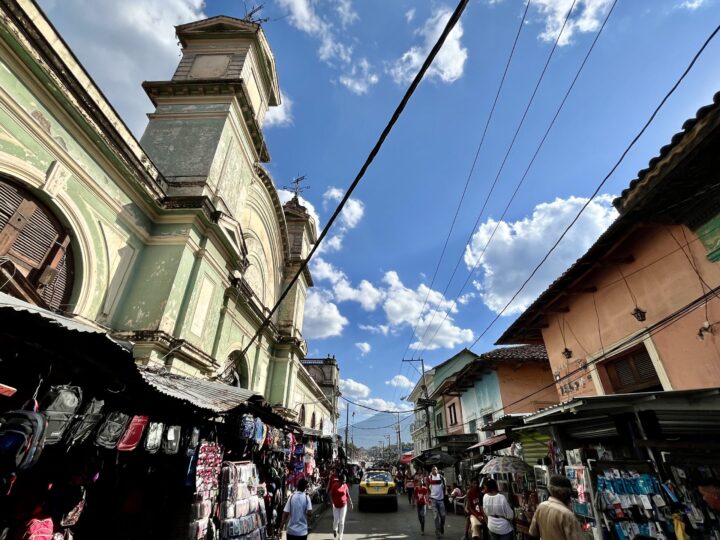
112 40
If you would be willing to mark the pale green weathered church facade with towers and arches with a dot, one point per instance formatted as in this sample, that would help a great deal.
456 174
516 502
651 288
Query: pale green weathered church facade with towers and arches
178 242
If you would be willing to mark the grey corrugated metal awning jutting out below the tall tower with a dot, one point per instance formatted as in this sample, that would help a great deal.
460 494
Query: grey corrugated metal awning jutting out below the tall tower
204 394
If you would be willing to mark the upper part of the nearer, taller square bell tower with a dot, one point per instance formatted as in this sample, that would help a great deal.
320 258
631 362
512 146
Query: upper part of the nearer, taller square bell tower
206 132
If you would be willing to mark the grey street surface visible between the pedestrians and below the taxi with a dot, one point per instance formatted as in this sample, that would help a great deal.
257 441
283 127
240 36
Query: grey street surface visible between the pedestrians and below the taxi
381 525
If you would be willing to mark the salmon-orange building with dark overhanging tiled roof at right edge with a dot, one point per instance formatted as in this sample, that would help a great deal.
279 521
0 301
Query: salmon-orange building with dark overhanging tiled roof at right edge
640 311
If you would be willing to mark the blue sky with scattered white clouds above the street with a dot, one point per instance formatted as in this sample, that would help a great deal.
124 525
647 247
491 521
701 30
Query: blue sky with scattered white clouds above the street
343 67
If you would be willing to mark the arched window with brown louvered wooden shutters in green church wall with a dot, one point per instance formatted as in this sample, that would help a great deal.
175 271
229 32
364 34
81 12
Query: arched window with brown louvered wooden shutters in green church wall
35 252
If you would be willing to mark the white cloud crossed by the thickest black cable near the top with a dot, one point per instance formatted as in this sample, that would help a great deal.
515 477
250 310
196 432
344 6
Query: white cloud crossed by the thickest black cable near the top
449 64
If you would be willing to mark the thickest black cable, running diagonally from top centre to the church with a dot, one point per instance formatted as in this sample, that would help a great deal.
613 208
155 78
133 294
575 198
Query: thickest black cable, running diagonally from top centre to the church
452 21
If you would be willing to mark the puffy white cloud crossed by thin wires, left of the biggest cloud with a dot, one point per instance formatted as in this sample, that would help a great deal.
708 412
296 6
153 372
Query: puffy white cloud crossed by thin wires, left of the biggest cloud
404 307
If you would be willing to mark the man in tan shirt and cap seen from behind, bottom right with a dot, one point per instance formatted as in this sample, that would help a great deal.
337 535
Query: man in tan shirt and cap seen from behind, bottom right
553 519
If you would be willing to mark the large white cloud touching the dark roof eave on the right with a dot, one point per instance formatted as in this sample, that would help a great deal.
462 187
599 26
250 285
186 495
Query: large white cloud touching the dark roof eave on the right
518 246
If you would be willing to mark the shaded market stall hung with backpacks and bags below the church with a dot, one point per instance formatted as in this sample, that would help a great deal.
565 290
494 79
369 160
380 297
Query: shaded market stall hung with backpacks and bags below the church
89 438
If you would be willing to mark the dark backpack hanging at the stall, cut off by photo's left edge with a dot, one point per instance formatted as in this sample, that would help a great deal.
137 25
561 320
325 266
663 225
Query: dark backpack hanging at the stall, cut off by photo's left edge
22 436
